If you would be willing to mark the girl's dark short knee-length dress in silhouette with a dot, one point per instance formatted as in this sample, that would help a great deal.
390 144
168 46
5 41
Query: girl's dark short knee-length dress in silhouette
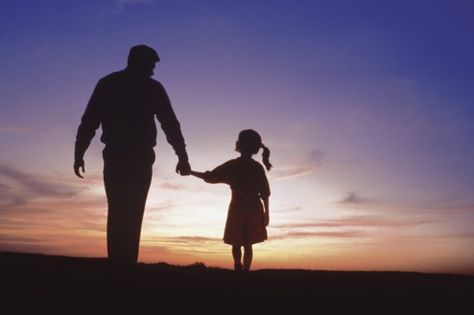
249 184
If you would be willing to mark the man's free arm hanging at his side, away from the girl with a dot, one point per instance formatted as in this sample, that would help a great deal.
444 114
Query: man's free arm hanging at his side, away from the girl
89 123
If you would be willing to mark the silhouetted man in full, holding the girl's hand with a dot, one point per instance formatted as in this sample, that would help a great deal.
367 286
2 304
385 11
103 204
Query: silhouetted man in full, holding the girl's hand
126 103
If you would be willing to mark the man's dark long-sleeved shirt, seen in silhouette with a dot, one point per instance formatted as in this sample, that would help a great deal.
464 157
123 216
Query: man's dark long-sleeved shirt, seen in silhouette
126 104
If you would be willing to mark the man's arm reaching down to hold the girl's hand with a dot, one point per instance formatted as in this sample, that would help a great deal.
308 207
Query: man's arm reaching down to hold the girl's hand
172 129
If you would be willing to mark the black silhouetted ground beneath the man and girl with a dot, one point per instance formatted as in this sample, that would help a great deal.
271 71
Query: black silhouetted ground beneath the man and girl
39 284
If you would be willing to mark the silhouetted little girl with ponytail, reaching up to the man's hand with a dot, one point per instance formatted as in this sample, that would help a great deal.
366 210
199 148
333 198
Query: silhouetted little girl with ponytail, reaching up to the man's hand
247 218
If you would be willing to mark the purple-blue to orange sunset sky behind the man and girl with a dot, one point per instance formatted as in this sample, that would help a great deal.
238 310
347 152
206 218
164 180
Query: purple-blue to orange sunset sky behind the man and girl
367 108
